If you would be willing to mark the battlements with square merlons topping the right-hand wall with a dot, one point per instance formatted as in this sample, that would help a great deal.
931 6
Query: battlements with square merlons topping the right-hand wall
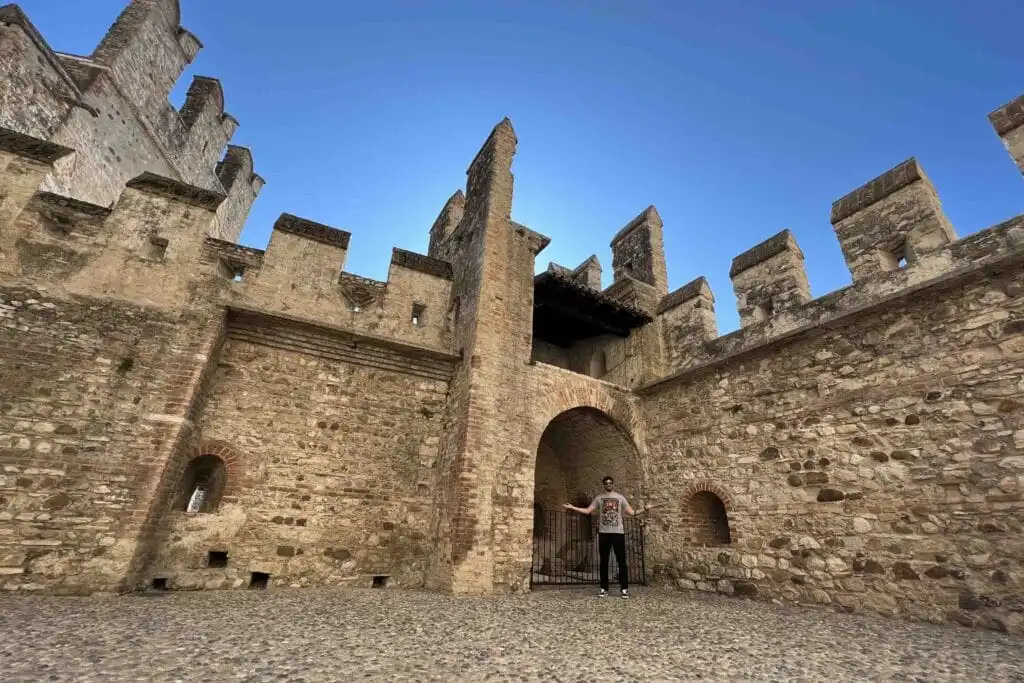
895 239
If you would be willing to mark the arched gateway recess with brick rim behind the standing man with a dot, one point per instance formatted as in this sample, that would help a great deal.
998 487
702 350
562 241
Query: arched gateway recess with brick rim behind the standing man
578 449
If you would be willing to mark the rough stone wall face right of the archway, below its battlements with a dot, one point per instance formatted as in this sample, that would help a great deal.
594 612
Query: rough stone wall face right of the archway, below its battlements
874 465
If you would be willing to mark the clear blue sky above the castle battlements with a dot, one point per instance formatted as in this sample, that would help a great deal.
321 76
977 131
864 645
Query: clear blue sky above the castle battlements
736 120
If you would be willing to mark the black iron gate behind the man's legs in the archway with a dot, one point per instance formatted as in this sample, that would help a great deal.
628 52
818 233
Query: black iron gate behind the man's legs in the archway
566 550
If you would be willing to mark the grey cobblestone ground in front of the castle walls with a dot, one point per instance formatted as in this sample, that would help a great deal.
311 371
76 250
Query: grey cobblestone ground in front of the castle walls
392 635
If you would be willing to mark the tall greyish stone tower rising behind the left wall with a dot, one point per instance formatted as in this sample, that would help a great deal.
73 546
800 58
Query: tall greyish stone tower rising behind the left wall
113 108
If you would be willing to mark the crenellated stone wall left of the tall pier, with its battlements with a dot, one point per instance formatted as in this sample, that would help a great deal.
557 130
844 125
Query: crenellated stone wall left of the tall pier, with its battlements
133 332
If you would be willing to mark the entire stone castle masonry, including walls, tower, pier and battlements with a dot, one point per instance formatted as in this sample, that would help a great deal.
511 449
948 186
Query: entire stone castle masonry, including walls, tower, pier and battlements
181 412
